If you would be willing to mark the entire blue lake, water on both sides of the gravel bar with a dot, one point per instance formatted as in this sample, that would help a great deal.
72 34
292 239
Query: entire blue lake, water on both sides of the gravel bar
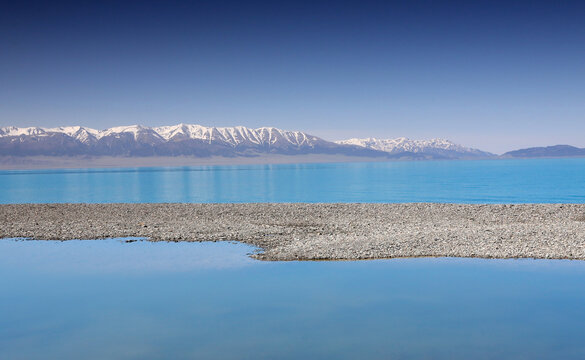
109 299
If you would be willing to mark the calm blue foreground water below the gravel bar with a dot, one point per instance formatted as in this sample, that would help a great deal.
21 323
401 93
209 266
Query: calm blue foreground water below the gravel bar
111 300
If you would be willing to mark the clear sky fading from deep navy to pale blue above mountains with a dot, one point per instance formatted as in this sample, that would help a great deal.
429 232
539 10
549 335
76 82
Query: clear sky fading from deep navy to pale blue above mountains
493 75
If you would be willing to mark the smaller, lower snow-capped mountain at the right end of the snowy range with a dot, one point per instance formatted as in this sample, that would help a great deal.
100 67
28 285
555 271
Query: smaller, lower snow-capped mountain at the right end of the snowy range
440 147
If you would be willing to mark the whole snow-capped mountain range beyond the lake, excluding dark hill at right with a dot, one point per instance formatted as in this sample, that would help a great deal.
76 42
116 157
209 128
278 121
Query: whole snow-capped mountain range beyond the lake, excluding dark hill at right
201 141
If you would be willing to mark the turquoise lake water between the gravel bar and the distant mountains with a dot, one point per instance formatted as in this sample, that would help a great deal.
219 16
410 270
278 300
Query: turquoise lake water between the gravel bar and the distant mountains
483 181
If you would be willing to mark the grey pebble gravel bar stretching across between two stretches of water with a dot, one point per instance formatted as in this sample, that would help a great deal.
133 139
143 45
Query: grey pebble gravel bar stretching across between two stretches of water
301 231
